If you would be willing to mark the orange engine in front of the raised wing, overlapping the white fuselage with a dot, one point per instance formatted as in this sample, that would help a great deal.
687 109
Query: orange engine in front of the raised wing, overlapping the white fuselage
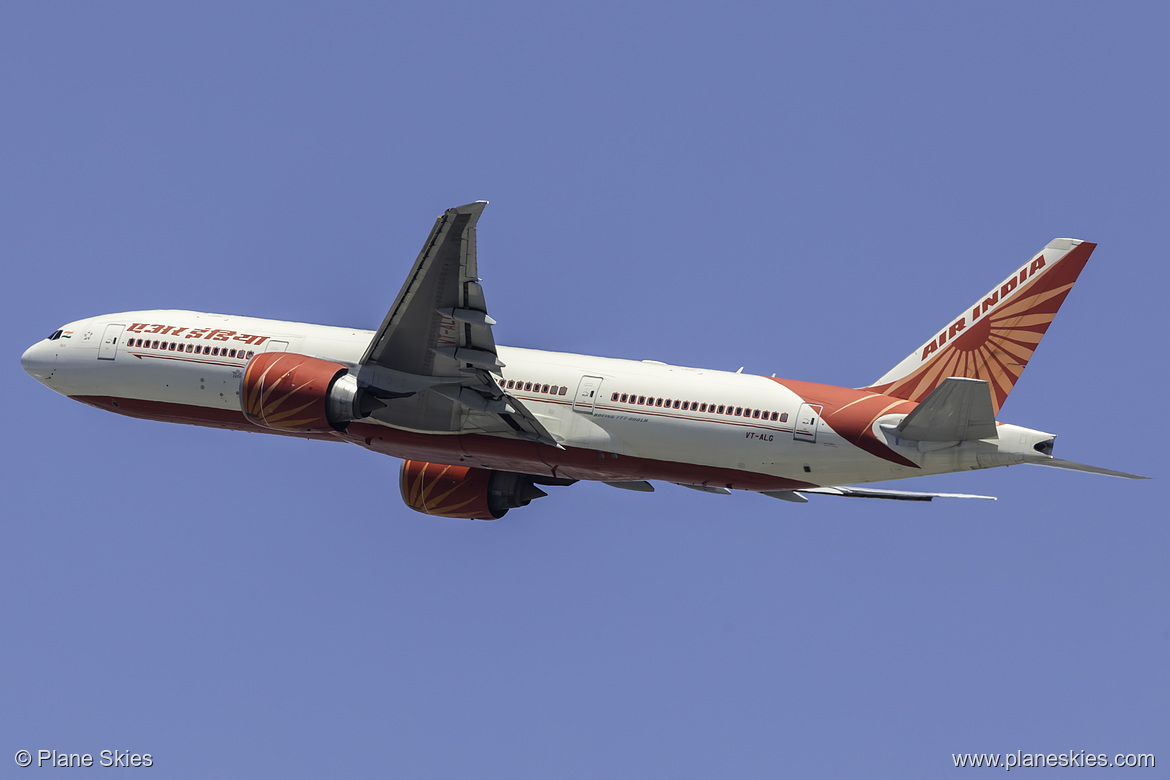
295 394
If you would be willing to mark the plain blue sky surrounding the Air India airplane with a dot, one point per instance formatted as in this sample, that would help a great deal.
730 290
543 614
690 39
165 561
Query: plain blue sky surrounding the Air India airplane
803 190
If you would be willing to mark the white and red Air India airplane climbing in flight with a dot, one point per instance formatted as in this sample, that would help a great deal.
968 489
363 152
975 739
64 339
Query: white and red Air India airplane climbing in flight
483 429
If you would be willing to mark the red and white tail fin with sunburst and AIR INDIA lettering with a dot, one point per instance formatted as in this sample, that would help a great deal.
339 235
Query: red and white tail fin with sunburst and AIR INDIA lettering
994 340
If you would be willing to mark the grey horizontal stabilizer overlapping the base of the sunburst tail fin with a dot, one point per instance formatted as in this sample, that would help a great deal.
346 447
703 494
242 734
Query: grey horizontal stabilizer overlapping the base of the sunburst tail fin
959 410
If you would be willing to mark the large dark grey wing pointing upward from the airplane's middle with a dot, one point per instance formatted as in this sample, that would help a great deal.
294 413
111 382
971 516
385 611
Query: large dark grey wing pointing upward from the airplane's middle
432 362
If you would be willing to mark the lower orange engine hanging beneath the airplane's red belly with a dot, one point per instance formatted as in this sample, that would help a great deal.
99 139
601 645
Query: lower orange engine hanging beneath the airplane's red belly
465 492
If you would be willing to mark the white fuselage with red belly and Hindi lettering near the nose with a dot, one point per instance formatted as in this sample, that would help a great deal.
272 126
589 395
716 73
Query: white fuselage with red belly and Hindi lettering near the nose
616 420
